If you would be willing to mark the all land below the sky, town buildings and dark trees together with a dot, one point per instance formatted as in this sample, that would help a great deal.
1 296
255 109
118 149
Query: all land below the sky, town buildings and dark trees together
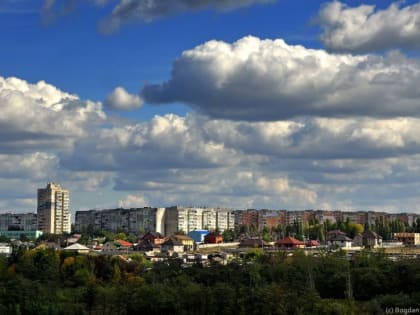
325 260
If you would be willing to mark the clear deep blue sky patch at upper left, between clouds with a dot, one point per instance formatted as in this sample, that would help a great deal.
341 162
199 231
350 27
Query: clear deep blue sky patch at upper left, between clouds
71 54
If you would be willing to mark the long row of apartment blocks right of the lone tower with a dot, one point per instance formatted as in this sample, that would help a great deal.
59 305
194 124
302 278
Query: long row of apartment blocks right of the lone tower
172 220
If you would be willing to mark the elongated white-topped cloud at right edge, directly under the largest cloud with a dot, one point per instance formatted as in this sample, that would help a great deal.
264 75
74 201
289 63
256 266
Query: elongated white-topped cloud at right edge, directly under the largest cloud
319 138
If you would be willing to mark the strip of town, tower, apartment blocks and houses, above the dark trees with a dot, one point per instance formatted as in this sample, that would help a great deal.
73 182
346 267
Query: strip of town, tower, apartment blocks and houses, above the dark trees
151 228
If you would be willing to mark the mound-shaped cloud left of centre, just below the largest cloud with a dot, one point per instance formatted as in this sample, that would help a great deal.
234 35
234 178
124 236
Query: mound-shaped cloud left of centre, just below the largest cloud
168 141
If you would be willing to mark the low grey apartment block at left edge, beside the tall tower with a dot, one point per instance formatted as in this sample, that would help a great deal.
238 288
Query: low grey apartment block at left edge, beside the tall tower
18 222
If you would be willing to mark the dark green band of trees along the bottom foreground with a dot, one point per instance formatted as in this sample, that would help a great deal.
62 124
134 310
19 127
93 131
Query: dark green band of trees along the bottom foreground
41 281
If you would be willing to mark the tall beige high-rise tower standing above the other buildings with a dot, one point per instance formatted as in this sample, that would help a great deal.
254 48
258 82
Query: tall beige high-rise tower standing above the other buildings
53 209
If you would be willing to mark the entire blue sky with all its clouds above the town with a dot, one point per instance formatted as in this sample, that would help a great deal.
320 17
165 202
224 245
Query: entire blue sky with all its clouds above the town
278 104
